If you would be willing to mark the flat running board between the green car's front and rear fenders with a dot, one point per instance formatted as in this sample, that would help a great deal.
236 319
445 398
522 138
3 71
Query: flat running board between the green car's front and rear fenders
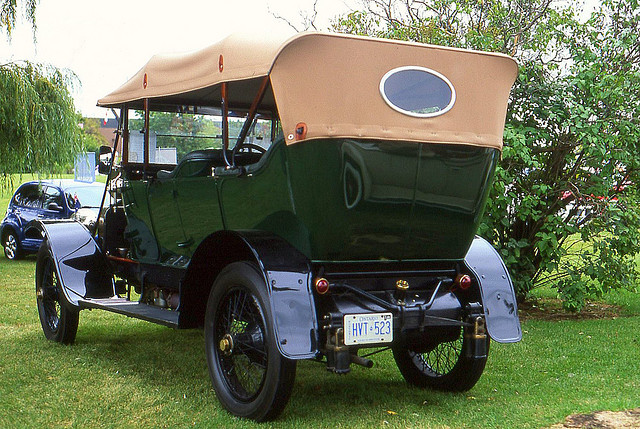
134 309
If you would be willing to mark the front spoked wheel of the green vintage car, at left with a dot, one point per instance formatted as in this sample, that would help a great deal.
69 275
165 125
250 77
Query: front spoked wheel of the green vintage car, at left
58 319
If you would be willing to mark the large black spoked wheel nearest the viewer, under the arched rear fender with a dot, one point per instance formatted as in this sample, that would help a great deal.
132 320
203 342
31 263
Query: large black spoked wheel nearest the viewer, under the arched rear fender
250 377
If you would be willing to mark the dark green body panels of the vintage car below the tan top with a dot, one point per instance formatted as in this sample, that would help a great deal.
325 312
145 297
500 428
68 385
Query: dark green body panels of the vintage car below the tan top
333 200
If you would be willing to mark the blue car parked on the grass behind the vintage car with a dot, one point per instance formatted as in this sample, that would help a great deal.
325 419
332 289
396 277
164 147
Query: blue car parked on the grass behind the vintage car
46 199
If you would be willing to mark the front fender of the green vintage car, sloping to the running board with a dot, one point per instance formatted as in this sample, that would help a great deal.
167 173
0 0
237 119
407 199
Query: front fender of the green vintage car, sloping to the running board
82 268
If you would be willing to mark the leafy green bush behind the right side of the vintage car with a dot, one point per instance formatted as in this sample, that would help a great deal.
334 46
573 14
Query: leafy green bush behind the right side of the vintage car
564 205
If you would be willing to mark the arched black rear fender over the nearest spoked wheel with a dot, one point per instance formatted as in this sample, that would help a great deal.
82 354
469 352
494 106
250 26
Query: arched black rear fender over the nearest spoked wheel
287 275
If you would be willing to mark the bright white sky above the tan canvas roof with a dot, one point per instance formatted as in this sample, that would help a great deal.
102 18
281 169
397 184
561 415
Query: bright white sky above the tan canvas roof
106 42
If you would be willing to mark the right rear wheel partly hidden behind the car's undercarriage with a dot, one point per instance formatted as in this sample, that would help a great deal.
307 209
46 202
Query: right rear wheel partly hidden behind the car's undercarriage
445 367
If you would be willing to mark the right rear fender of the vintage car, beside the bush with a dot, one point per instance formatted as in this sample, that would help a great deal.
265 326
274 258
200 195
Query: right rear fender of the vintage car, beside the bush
496 288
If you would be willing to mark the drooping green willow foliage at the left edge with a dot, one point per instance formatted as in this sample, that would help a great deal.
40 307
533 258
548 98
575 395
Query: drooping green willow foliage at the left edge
38 126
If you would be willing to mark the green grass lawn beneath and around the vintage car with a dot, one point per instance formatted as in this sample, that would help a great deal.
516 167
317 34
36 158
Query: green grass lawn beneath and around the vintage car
127 373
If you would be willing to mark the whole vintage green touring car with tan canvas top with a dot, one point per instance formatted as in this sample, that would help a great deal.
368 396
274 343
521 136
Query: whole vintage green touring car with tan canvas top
299 199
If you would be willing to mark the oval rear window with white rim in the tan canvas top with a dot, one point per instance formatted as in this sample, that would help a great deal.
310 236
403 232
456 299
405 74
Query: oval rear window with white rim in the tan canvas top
417 91
